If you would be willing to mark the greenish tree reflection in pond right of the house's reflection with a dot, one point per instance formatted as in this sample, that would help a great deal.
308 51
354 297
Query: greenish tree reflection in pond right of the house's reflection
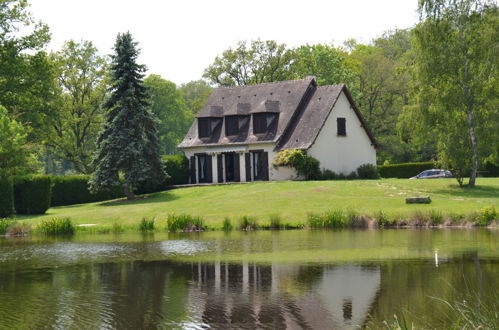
413 288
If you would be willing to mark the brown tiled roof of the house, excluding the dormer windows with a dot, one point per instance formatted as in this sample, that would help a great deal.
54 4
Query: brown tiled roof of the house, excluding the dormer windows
303 108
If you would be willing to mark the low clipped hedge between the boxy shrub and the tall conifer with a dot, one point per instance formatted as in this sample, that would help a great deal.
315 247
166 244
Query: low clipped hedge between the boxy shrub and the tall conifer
73 189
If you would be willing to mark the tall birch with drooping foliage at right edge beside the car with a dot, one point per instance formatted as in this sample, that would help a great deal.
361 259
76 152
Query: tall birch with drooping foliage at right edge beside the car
455 85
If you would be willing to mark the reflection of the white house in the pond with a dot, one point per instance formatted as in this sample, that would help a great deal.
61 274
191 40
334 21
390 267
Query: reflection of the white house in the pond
262 296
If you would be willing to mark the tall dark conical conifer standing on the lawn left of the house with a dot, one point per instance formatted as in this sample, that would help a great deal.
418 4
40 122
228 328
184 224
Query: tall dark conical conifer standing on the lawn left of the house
128 145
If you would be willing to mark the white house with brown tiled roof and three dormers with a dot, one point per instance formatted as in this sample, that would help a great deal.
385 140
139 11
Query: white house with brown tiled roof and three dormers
240 130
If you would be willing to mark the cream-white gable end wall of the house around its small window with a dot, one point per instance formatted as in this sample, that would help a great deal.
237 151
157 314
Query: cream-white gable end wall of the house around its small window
343 154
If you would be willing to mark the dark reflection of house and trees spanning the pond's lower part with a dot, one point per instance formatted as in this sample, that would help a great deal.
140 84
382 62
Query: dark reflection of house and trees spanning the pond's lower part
162 294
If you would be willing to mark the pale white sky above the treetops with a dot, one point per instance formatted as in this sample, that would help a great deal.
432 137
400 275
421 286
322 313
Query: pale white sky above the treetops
179 39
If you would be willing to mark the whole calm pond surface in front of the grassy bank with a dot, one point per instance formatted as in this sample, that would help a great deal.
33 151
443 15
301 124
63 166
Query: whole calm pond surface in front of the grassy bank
301 279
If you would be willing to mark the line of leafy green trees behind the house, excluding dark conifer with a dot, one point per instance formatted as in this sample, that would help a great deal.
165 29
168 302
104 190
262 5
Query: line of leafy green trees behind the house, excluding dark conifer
428 92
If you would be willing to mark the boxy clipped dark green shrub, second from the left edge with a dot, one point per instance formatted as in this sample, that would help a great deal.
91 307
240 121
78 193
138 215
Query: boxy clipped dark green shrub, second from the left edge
32 194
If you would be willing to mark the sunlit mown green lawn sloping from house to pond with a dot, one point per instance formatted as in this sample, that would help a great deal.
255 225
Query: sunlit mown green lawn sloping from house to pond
290 200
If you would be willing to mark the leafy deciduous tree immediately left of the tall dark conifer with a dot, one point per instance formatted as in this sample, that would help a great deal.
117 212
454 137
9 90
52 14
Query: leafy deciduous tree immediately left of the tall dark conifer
74 128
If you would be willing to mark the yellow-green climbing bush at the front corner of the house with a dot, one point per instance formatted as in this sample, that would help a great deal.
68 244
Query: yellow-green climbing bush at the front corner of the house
305 165
